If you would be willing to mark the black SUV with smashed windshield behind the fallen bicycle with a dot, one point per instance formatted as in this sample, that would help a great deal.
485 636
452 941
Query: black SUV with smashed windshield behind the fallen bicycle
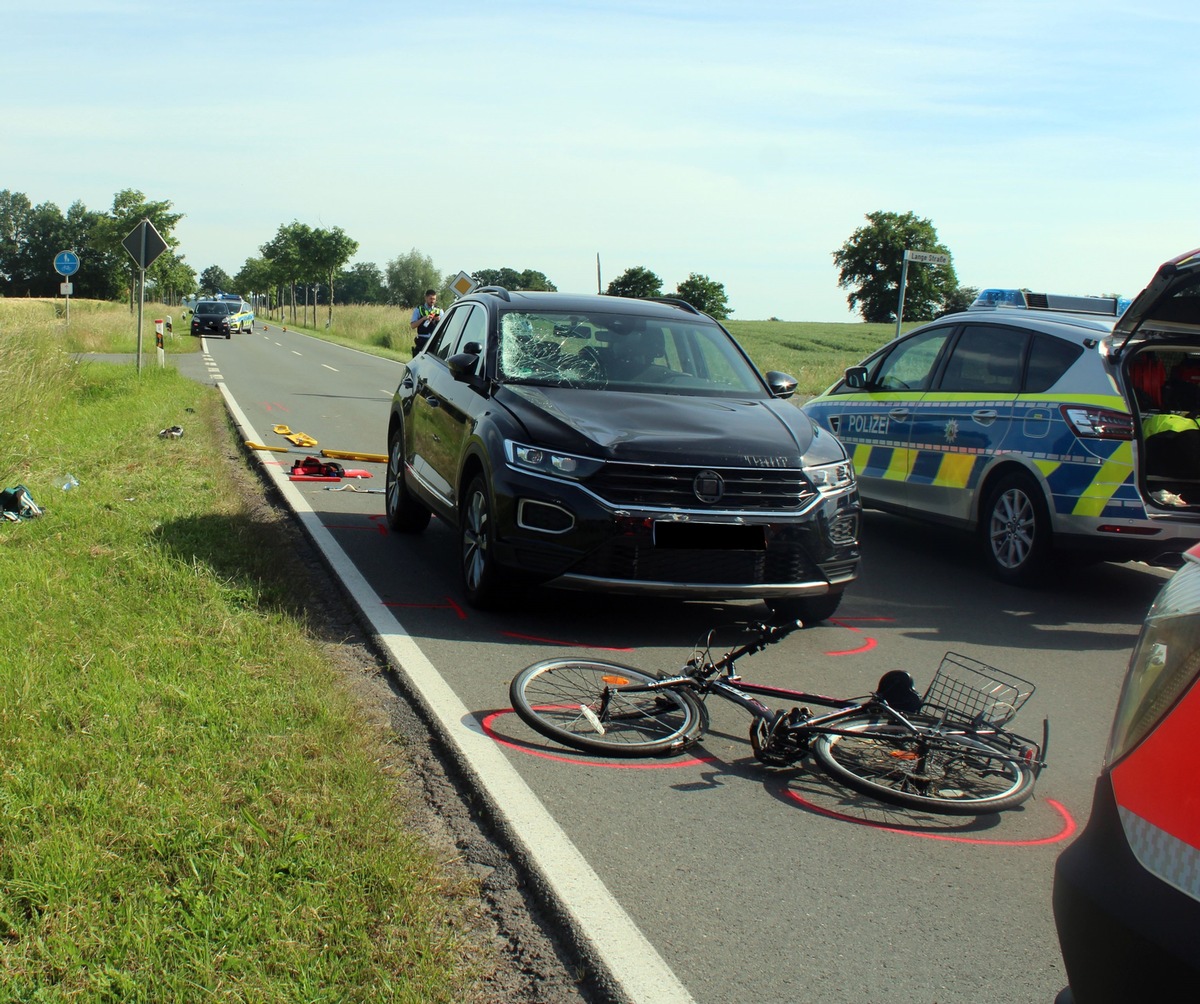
619 446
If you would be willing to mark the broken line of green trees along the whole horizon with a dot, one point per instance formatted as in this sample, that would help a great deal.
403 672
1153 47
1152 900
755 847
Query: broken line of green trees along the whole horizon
311 264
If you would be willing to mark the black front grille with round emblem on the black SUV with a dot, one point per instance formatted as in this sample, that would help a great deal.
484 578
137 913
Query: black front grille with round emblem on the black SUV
683 488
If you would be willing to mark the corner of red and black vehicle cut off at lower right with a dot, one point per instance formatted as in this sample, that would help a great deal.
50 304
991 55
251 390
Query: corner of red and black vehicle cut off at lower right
1127 892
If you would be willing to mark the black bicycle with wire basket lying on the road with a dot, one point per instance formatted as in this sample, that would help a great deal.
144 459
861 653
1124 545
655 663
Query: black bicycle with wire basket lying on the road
946 752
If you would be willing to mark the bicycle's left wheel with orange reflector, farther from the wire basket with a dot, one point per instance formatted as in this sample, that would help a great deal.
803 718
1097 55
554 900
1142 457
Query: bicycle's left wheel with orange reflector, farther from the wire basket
580 704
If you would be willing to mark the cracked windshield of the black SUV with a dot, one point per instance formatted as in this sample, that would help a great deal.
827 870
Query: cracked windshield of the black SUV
619 352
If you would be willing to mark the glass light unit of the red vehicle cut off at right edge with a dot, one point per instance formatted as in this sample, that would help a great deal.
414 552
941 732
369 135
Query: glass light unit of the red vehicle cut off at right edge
1165 663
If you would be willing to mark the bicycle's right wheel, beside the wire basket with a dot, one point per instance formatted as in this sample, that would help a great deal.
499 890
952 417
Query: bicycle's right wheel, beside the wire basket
952 775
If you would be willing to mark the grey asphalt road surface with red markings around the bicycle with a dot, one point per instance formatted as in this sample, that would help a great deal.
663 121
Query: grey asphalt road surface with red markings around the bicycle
710 877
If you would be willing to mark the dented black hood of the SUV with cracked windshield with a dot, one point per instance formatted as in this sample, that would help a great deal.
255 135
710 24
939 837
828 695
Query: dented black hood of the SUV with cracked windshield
671 429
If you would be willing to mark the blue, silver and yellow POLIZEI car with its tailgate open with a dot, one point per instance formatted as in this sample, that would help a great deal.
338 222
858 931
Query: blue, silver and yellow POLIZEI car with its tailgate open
1040 423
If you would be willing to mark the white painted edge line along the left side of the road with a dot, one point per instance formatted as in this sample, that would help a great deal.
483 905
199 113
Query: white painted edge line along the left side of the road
632 961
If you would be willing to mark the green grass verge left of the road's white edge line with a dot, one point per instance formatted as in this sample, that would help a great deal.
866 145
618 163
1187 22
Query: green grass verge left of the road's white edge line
193 807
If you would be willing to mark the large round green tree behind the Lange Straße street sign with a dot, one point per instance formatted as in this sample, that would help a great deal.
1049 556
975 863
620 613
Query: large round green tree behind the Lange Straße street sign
872 260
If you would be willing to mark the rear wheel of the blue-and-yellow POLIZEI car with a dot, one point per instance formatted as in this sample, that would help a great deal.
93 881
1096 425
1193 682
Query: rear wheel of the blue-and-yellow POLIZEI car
1016 530
